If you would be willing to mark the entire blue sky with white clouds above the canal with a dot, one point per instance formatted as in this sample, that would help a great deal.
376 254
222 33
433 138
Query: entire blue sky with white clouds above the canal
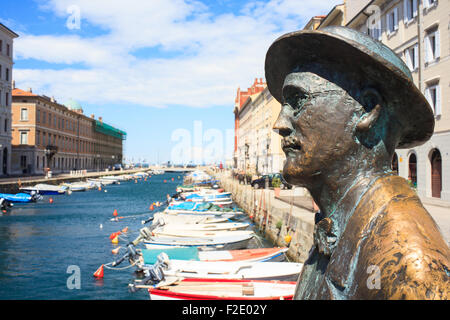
164 71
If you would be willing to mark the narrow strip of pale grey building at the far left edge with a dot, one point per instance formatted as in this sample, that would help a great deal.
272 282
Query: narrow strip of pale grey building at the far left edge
6 66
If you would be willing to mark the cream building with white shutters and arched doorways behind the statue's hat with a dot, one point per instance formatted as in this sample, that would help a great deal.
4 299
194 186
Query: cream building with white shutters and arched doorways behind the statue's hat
418 32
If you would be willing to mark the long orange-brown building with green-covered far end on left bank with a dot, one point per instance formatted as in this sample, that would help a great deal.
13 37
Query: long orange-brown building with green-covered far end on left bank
47 135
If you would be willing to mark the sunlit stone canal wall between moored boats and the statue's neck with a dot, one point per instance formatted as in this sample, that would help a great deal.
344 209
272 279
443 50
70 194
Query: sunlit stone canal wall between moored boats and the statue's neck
275 218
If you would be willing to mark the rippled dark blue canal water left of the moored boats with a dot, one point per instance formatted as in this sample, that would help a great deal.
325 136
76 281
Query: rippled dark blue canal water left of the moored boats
41 244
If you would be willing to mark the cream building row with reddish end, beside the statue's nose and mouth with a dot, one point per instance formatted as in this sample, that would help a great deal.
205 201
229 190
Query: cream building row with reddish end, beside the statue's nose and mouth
258 147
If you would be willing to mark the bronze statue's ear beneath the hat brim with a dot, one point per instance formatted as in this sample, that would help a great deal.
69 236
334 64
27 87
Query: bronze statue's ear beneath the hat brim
371 101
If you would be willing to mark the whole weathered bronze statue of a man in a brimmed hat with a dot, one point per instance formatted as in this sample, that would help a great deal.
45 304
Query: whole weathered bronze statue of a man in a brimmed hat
348 102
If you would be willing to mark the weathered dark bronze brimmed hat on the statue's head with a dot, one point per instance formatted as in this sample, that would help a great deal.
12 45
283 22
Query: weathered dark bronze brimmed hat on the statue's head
358 53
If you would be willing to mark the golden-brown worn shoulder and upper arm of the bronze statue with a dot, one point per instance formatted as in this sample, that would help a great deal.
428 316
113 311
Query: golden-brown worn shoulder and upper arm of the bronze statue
401 241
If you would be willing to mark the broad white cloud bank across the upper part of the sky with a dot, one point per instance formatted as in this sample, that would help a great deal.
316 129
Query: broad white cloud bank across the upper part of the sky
209 56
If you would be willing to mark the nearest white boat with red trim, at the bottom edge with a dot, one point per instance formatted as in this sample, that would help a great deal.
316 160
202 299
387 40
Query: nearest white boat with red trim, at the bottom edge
222 289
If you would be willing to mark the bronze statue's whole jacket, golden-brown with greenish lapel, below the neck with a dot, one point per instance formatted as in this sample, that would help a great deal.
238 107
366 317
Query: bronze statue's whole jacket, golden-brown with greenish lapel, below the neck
391 248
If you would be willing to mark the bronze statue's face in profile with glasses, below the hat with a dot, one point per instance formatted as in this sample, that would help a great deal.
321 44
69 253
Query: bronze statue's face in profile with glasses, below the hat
317 122
